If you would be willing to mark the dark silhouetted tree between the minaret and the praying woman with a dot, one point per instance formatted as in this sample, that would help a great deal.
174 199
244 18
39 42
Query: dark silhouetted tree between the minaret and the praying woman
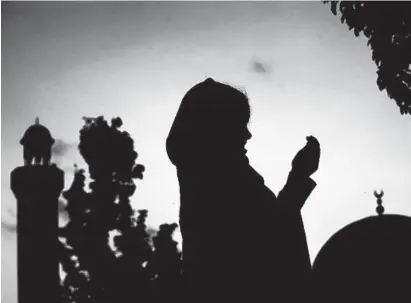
97 272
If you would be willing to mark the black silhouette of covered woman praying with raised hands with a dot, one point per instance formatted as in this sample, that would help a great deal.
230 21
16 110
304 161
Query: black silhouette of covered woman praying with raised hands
241 243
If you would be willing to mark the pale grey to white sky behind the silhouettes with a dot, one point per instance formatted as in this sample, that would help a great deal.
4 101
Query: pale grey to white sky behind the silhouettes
62 61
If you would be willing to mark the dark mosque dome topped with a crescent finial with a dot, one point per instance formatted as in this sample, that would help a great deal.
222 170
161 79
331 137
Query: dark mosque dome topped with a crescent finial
366 261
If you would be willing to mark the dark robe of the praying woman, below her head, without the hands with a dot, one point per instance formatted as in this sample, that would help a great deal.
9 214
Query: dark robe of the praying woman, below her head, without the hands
240 241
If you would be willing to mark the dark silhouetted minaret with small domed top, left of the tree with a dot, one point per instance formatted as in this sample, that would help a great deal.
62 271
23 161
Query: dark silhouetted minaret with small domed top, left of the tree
37 189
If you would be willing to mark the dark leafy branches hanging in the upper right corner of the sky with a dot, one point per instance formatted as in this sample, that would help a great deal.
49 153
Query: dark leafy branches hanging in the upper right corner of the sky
387 26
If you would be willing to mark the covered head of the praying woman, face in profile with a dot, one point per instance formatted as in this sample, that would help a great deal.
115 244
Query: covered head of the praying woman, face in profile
211 122
